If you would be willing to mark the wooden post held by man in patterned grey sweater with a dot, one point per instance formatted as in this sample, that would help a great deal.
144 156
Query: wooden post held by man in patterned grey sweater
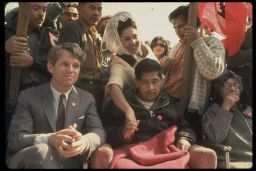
187 75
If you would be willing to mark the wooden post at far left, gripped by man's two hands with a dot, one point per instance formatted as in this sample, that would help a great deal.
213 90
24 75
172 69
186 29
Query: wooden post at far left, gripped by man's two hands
21 31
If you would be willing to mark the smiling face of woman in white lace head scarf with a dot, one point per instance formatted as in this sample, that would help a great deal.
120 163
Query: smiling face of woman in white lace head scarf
129 39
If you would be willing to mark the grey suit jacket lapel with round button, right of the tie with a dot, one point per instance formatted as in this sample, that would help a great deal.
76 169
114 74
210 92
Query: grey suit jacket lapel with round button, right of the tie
72 107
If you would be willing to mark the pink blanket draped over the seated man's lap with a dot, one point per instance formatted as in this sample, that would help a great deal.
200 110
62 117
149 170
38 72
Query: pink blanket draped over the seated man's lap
158 152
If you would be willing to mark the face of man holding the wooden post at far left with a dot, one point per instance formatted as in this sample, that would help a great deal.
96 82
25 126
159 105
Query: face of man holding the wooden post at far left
37 14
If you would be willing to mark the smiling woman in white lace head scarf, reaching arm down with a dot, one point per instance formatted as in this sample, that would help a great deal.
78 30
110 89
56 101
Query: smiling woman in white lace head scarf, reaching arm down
122 40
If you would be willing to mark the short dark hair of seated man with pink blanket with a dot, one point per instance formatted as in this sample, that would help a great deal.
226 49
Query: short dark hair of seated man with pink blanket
147 65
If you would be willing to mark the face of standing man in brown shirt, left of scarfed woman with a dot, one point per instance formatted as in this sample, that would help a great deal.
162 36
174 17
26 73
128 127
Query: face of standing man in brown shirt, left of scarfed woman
90 12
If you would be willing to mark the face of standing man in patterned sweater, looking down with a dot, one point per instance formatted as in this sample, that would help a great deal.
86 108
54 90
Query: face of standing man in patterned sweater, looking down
179 26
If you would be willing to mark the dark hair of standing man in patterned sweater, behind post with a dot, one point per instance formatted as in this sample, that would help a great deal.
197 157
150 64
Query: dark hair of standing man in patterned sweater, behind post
181 11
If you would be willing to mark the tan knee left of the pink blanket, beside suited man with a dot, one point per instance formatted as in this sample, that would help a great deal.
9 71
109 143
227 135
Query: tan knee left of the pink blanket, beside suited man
102 157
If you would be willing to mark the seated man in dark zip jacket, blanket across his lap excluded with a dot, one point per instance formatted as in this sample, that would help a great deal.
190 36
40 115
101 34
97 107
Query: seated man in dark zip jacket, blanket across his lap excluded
156 112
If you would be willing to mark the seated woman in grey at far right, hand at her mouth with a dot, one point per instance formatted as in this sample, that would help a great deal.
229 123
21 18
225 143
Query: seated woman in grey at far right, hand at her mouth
229 122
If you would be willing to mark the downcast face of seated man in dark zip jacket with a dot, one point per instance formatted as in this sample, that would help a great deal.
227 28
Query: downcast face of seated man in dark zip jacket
149 86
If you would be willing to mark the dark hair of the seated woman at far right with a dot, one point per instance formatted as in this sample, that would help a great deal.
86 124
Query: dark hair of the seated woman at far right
218 83
